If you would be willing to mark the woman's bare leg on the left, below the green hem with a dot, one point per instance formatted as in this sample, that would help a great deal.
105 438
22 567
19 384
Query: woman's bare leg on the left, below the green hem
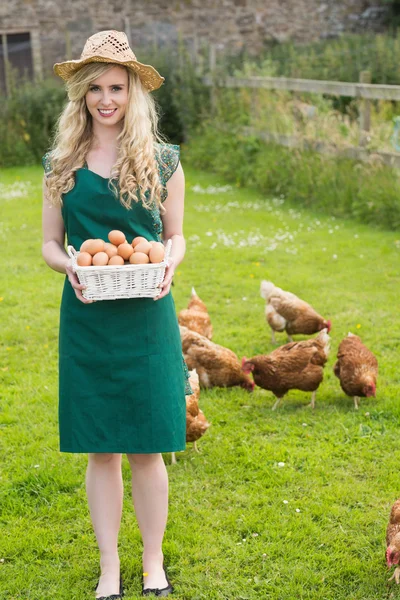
104 489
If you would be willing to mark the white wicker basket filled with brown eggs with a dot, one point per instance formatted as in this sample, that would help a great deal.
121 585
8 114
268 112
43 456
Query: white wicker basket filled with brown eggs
116 269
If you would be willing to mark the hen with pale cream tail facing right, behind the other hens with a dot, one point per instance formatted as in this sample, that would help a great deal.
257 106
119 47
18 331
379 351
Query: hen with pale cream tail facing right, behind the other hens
286 312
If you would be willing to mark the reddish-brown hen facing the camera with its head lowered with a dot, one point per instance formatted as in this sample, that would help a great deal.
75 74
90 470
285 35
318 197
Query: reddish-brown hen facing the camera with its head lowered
356 368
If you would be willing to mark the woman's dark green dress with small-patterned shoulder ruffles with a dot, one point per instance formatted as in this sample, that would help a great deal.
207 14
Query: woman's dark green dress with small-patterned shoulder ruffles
122 377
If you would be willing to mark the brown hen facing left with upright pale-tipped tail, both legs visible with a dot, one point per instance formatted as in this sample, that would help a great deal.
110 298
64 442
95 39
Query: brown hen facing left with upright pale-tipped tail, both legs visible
297 365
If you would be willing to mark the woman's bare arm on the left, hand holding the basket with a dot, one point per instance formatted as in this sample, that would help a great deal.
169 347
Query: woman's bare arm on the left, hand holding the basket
53 250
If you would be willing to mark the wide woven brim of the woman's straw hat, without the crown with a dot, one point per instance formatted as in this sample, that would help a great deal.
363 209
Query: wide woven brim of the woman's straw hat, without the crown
148 75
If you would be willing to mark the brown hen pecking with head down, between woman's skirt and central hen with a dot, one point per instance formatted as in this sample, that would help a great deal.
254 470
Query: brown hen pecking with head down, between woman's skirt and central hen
216 366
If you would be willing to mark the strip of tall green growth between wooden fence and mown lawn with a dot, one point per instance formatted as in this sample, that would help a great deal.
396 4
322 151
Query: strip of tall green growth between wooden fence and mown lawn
338 186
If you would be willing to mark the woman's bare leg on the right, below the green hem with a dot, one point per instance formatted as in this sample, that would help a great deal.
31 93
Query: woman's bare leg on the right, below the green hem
150 499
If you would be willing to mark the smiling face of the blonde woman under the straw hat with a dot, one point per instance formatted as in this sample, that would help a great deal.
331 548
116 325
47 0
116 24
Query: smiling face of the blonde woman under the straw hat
107 97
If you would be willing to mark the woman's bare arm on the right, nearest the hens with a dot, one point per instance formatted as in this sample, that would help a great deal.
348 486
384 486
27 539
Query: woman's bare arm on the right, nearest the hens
173 226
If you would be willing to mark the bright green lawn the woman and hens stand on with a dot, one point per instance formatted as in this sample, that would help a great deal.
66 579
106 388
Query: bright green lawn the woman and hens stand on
230 535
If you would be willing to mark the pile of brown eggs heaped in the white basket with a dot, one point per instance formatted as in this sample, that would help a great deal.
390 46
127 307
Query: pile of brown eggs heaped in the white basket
118 251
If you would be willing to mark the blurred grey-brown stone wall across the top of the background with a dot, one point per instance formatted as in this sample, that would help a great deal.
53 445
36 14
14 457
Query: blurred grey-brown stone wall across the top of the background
59 29
